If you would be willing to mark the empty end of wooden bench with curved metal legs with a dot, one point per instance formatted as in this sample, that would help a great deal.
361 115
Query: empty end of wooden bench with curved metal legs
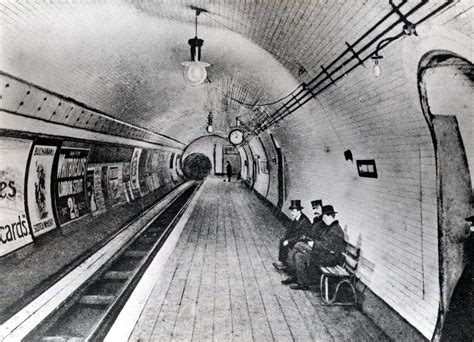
344 274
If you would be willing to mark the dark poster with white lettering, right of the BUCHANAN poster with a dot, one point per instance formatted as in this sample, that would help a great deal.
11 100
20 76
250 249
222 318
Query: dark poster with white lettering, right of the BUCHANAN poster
70 195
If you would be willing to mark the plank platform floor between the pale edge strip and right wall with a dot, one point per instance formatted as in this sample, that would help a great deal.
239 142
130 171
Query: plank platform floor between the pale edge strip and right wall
219 284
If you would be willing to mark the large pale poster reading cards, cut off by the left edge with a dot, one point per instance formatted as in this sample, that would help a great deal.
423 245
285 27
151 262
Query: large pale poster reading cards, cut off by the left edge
14 228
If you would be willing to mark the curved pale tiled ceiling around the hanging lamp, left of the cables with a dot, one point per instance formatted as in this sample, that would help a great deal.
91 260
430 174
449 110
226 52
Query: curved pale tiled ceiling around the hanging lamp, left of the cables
123 58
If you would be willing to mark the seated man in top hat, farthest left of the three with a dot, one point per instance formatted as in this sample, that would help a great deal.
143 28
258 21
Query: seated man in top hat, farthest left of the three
299 227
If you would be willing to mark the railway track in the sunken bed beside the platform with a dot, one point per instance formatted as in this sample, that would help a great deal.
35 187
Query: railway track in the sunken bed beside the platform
90 312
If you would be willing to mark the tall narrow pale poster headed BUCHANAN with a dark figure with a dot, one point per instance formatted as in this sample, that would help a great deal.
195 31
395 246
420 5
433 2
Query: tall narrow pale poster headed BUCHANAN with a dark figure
40 208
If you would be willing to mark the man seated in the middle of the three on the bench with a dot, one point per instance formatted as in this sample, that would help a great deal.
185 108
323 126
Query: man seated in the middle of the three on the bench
313 234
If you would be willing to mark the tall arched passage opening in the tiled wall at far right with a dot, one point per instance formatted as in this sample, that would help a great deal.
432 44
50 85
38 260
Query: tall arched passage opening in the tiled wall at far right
454 167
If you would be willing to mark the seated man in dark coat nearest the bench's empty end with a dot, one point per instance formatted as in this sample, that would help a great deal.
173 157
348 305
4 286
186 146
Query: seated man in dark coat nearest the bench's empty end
325 251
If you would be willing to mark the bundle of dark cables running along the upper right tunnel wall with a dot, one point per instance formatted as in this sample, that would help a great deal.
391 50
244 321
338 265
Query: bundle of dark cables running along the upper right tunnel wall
306 91
